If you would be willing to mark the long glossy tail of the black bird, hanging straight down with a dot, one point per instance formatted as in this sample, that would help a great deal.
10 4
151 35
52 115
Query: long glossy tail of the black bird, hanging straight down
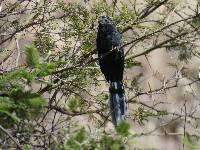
118 105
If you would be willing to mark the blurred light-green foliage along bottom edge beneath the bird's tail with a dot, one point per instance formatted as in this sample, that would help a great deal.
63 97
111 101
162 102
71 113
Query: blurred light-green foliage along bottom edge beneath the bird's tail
82 139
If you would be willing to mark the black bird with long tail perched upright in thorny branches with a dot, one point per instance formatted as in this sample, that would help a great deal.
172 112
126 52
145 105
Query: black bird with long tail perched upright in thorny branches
111 61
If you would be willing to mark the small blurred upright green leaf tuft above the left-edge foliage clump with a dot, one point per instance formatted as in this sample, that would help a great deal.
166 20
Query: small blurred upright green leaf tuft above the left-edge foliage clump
32 56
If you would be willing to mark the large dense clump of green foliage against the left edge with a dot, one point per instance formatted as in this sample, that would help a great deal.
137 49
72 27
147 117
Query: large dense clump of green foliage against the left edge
18 104
